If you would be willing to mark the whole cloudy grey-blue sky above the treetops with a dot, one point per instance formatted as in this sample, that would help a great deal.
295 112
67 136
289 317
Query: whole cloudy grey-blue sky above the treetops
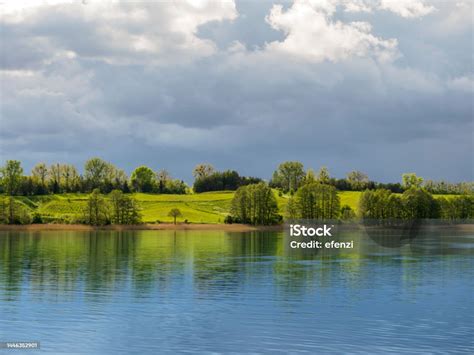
383 86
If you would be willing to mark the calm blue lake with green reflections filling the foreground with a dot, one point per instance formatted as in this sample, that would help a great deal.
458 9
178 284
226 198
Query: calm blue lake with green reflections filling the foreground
217 292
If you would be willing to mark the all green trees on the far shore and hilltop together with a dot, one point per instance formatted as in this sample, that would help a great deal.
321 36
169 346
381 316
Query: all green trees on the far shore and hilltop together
310 195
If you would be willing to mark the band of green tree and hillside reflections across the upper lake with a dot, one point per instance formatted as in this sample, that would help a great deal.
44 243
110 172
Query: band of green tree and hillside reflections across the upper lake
54 263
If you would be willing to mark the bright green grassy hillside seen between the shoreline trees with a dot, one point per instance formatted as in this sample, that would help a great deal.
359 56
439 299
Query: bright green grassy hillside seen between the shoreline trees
208 207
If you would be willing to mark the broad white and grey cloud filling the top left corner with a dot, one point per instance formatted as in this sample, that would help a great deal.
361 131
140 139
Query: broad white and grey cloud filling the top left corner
117 32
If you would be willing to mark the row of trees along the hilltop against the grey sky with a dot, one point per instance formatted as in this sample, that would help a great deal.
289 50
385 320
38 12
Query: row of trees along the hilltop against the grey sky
288 178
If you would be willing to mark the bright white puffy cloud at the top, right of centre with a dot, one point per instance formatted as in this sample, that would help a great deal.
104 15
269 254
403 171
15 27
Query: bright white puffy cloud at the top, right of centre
312 33
